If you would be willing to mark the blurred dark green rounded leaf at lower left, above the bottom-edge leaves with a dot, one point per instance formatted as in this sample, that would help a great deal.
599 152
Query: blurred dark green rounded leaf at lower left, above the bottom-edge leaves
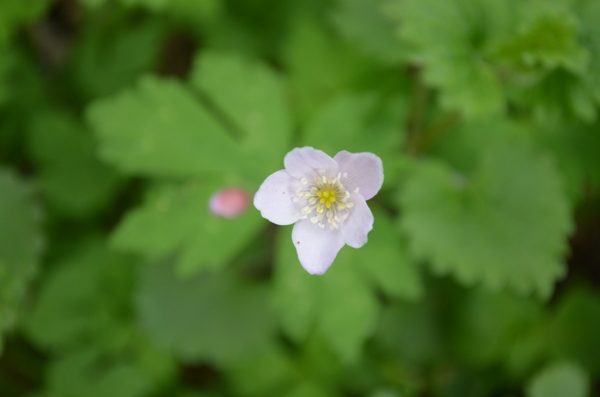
87 296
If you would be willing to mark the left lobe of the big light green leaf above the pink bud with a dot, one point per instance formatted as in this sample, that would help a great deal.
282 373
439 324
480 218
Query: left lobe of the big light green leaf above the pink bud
160 129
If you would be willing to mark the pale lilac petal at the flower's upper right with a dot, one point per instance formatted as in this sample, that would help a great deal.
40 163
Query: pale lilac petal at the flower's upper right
365 172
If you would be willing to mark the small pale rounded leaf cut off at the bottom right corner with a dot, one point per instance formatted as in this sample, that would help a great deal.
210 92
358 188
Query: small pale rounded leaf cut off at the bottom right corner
558 380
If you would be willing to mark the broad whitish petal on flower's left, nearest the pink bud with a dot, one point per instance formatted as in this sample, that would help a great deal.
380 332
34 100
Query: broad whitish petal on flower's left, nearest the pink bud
274 198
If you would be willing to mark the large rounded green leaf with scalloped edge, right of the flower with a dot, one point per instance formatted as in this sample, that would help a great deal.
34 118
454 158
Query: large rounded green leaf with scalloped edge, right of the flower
505 224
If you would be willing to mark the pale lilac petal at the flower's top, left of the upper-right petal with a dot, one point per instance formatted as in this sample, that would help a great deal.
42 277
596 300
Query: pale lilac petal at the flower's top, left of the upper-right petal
306 162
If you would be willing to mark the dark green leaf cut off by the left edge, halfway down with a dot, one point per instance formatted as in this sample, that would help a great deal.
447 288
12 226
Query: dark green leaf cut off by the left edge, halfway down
20 245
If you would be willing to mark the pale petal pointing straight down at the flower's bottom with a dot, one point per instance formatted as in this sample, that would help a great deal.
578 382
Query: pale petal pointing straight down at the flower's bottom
316 247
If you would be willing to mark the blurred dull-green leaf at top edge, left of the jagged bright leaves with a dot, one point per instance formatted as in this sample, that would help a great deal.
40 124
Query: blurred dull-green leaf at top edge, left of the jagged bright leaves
365 22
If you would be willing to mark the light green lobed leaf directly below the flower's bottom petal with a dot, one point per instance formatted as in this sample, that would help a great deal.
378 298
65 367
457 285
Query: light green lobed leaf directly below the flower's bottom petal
341 305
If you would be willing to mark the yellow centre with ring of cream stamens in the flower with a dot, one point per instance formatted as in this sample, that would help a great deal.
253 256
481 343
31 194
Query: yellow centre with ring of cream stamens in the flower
328 198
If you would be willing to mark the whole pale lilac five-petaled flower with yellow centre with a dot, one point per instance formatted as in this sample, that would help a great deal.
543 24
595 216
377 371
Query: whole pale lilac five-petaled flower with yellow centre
326 199
